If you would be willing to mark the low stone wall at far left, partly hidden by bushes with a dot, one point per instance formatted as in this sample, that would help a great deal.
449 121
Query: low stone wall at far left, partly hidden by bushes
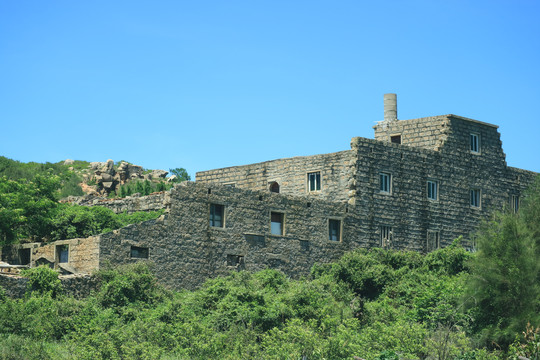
77 286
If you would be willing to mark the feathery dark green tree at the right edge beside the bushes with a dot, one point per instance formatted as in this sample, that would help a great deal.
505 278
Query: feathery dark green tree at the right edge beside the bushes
505 290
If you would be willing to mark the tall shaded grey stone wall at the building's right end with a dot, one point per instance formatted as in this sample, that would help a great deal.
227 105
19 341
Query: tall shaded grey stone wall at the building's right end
407 209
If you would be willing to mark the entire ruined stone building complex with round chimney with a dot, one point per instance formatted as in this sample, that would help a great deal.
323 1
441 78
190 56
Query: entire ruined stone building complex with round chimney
418 185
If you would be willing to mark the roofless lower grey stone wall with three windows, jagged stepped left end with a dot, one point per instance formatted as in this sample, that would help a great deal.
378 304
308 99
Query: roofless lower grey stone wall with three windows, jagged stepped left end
186 250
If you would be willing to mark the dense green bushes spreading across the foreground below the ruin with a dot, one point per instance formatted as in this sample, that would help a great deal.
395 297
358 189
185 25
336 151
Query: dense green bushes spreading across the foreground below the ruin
405 306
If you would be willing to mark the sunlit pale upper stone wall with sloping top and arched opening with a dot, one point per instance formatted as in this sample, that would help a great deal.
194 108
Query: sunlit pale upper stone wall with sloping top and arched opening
290 174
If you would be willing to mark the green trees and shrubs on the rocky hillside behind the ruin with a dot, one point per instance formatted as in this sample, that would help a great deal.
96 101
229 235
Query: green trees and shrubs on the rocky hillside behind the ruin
30 211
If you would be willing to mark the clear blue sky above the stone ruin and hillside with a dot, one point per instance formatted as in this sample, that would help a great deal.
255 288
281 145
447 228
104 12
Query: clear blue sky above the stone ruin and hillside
209 84
